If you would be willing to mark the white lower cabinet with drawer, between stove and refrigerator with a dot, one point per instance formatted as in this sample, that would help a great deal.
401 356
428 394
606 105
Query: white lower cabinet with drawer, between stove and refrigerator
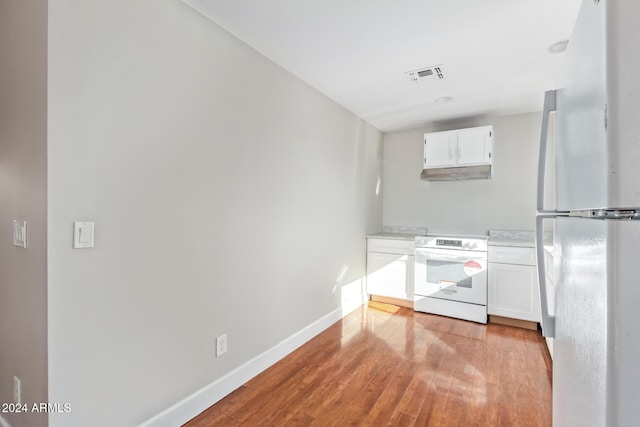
513 283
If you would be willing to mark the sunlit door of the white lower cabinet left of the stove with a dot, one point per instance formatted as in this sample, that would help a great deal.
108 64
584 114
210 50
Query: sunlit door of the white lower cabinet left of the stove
389 275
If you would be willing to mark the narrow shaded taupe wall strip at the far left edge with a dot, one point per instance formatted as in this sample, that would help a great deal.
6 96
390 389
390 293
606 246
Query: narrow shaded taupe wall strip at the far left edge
23 124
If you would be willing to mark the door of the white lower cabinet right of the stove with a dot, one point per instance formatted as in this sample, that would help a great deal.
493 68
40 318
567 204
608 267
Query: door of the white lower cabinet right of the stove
513 292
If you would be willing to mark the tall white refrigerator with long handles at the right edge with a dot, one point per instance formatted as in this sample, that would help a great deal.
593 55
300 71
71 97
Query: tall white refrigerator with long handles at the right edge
596 349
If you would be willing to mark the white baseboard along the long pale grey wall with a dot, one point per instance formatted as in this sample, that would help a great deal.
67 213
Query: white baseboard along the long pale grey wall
194 404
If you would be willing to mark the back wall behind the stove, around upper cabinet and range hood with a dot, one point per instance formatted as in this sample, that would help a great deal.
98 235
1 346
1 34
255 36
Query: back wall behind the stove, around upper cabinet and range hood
507 201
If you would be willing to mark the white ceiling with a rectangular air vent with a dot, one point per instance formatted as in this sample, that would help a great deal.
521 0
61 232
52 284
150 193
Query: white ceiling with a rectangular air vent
493 54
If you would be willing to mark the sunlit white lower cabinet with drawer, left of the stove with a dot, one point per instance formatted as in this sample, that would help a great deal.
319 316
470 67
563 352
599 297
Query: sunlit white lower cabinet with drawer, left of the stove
390 268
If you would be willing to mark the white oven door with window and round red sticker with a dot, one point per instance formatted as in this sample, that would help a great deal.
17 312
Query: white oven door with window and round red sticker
451 274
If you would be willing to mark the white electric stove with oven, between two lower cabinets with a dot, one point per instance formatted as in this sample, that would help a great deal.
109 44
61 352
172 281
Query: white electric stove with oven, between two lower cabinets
451 276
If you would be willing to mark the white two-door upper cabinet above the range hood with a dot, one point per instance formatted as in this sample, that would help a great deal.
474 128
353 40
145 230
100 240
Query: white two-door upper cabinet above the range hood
463 147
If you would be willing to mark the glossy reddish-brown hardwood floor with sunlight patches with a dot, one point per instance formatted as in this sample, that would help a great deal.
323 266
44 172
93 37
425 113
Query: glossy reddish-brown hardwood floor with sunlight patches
388 365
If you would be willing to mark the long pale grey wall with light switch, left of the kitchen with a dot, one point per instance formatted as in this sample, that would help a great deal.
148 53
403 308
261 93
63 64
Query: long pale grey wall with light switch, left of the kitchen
227 197
